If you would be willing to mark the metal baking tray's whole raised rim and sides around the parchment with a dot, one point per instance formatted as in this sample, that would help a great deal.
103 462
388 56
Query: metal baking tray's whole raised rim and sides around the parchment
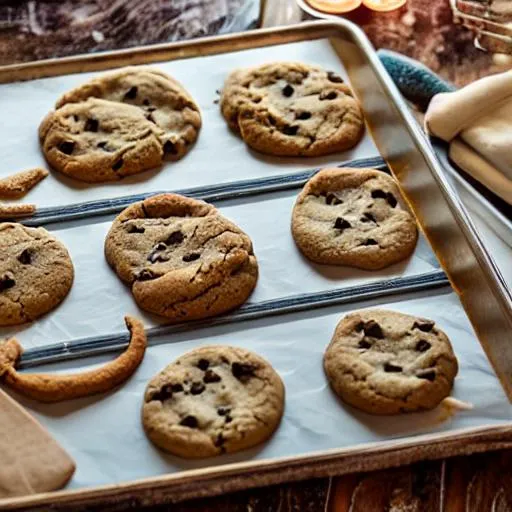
442 218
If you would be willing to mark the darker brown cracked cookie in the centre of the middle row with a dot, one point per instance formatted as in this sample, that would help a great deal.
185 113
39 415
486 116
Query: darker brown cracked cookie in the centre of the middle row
182 259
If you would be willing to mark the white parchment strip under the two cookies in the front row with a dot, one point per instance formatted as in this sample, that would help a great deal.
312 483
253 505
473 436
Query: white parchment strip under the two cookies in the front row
105 436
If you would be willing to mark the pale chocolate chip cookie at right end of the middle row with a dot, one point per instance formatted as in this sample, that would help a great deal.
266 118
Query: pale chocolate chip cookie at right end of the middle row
353 217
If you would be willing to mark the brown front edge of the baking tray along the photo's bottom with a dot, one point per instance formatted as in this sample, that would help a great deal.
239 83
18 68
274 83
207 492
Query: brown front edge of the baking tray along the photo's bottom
211 481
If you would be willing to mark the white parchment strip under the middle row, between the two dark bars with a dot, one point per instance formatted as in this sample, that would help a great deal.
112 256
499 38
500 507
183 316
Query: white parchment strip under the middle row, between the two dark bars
98 300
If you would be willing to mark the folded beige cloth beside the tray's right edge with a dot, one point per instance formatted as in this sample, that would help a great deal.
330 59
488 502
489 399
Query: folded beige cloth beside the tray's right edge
477 122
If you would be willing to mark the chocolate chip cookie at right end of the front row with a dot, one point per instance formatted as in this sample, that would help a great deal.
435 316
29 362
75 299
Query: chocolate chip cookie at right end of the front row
385 362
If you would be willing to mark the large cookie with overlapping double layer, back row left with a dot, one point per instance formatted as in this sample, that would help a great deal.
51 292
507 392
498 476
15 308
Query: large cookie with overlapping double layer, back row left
119 124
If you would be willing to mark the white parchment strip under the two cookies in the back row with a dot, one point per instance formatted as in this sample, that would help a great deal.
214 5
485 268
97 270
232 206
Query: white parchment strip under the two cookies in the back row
219 155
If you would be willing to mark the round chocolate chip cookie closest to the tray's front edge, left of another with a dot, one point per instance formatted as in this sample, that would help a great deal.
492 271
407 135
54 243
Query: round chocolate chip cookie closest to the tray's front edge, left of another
213 400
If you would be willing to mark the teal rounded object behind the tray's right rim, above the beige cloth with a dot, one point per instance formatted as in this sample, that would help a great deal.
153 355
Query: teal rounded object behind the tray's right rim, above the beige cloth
416 82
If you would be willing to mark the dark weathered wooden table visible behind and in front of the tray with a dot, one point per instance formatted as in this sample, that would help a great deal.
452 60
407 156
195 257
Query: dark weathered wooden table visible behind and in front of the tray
422 30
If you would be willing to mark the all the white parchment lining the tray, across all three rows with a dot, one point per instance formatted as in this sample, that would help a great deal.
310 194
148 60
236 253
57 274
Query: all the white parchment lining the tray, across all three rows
104 433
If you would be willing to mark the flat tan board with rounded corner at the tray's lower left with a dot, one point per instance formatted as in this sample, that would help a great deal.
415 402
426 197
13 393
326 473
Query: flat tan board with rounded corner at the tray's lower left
31 461
